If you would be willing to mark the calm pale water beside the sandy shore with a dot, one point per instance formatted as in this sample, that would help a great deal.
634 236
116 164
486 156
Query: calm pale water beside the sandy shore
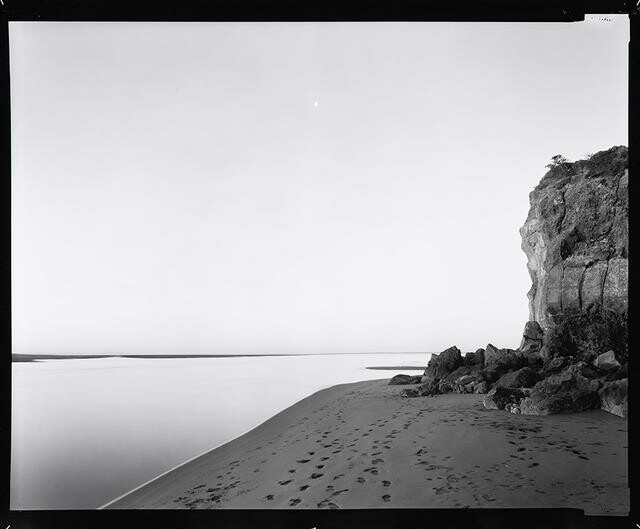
85 431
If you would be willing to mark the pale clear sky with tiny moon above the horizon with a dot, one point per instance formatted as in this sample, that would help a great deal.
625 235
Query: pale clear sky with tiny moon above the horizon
230 188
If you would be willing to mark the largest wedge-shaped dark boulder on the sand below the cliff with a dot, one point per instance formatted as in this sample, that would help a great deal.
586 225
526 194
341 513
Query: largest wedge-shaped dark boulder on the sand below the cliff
567 391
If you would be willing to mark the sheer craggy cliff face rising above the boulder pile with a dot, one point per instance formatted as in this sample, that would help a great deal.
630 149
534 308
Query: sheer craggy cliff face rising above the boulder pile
576 241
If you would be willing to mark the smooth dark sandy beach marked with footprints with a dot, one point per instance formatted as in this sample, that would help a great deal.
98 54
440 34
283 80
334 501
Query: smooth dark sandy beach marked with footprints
361 445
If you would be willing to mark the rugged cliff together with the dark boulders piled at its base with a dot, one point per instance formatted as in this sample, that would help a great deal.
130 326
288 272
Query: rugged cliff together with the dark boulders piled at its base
573 353
